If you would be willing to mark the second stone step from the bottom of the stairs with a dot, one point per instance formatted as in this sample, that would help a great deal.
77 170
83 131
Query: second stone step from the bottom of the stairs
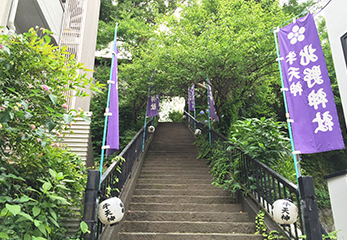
188 227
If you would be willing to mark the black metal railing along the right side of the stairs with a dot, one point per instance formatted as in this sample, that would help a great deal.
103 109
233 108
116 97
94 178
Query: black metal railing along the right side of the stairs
263 184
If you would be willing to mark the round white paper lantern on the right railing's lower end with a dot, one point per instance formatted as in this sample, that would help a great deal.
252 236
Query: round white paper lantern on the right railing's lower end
284 212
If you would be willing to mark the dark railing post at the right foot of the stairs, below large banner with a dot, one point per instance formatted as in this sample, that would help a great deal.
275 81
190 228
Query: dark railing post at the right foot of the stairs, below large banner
312 224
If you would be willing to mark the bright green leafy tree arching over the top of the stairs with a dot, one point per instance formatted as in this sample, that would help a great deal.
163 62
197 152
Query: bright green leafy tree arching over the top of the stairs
226 40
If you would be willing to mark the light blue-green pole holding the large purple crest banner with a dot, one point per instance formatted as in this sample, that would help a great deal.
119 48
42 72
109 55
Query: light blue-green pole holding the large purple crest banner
295 156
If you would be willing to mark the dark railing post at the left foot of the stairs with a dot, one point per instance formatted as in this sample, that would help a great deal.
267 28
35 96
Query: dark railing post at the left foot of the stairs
90 203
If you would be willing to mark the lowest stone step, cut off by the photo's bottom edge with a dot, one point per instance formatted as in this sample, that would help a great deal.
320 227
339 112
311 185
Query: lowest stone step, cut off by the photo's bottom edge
187 236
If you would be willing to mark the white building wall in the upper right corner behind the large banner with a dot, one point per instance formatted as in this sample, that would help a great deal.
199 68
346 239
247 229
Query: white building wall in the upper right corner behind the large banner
336 19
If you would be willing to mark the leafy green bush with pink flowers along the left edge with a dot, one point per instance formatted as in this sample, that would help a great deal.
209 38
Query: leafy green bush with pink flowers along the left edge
40 180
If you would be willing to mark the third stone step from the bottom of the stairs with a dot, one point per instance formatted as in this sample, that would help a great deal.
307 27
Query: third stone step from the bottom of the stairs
187 216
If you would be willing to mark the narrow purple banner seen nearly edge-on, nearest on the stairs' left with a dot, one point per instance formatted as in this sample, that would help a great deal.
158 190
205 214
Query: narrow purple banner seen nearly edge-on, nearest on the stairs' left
113 121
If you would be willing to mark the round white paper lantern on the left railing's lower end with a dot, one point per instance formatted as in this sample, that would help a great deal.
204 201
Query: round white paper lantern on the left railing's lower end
111 211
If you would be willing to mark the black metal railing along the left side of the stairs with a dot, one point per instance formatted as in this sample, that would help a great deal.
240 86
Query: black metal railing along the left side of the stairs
116 176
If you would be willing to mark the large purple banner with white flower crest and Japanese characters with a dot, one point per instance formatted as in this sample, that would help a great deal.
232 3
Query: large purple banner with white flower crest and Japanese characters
311 104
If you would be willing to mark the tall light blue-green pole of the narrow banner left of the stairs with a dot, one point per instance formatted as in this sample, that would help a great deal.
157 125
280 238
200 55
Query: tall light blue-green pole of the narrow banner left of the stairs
108 105
